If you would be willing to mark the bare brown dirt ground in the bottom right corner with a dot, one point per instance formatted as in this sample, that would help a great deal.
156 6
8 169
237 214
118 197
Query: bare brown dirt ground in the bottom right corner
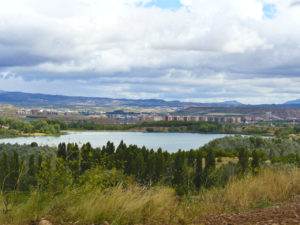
288 213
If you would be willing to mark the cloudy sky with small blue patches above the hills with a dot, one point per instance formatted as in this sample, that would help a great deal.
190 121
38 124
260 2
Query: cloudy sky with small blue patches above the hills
187 50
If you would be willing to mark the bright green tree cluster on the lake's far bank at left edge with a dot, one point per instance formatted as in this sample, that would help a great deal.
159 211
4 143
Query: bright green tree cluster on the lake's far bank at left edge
15 127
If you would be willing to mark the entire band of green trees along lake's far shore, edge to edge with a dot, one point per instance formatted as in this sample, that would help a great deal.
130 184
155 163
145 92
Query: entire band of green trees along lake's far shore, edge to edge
13 127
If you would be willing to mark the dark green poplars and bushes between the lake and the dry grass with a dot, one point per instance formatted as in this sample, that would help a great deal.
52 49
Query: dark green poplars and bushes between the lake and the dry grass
187 172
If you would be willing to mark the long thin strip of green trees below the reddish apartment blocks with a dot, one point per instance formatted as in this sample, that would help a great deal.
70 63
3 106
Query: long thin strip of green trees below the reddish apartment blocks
191 127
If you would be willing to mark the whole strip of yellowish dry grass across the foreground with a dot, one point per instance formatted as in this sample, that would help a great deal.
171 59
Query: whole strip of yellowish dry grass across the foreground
158 205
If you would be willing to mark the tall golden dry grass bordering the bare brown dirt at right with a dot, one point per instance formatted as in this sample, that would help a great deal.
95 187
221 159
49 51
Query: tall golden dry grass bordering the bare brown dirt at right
269 186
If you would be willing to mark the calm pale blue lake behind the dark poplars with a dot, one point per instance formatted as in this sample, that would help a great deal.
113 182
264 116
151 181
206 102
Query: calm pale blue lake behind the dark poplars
167 141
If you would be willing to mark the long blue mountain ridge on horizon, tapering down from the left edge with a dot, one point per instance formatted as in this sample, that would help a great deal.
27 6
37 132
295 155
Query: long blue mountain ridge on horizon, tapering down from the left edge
21 99
